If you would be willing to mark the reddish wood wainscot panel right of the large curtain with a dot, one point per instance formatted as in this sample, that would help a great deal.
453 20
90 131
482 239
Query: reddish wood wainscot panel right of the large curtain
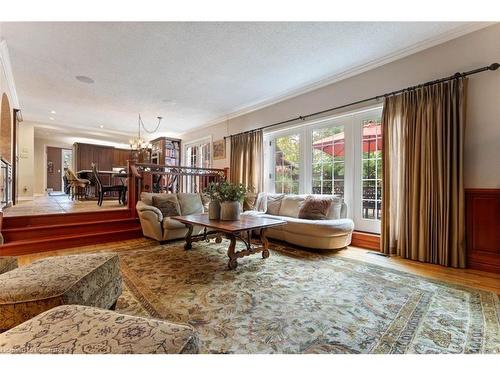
483 229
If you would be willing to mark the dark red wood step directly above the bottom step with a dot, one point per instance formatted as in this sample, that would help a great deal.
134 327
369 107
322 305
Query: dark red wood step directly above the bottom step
57 230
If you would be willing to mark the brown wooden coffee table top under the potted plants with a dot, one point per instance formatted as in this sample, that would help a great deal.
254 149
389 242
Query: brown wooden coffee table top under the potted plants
245 222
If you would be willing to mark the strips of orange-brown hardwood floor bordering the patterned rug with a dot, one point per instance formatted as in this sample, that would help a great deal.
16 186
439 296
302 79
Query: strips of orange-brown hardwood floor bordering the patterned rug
471 278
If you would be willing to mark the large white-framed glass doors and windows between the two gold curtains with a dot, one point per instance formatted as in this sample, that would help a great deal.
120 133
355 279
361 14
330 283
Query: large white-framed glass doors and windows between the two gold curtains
341 155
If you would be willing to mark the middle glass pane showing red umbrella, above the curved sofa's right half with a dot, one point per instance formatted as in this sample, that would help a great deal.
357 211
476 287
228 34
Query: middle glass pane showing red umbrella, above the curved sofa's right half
328 155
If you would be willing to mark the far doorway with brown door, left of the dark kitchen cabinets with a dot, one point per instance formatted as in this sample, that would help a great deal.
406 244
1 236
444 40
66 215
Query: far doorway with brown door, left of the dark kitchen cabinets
58 160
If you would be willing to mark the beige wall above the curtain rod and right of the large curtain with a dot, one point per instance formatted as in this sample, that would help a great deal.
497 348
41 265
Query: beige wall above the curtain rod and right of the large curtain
468 52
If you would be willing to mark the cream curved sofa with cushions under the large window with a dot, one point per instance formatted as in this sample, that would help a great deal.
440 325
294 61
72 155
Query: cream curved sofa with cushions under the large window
333 233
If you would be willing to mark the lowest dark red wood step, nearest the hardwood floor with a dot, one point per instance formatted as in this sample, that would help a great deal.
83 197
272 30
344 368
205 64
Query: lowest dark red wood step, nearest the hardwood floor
67 241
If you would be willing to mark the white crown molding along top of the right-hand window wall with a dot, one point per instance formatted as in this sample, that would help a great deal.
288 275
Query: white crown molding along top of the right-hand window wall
418 47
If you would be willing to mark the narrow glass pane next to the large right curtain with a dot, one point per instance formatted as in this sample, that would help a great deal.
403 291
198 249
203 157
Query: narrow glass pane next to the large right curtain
372 168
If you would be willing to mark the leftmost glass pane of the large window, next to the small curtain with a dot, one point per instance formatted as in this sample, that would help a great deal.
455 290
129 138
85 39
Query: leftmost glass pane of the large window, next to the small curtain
286 164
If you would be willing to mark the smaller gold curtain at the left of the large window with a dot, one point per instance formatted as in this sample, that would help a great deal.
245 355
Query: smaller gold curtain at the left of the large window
247 160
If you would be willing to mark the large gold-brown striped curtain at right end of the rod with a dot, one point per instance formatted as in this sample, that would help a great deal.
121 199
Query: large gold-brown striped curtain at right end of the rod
423 215
